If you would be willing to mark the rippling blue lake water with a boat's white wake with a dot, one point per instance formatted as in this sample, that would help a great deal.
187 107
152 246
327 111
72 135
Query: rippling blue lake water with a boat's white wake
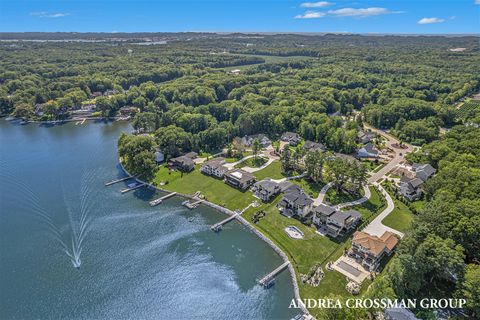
136 262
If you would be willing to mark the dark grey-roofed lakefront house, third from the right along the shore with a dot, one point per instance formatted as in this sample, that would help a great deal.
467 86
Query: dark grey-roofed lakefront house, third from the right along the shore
295 202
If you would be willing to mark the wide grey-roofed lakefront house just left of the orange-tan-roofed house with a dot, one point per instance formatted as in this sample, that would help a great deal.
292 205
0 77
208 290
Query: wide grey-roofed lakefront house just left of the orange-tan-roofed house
335 222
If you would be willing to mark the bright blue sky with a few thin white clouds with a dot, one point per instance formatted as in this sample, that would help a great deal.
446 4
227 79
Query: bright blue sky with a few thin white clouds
362 16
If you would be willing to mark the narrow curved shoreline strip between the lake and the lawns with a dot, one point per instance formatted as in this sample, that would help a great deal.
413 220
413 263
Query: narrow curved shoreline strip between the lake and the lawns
247 224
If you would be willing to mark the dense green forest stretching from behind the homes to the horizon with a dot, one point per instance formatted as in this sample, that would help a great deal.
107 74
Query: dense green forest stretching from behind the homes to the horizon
184 92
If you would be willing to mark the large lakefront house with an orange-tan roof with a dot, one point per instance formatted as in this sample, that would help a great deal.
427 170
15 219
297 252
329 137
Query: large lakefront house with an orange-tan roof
369 250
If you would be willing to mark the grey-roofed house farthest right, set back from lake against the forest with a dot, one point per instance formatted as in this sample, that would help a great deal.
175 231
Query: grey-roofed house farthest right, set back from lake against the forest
410 187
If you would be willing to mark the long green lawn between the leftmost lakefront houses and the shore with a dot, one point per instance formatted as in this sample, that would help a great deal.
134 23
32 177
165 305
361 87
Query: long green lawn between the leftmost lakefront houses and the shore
214 190
